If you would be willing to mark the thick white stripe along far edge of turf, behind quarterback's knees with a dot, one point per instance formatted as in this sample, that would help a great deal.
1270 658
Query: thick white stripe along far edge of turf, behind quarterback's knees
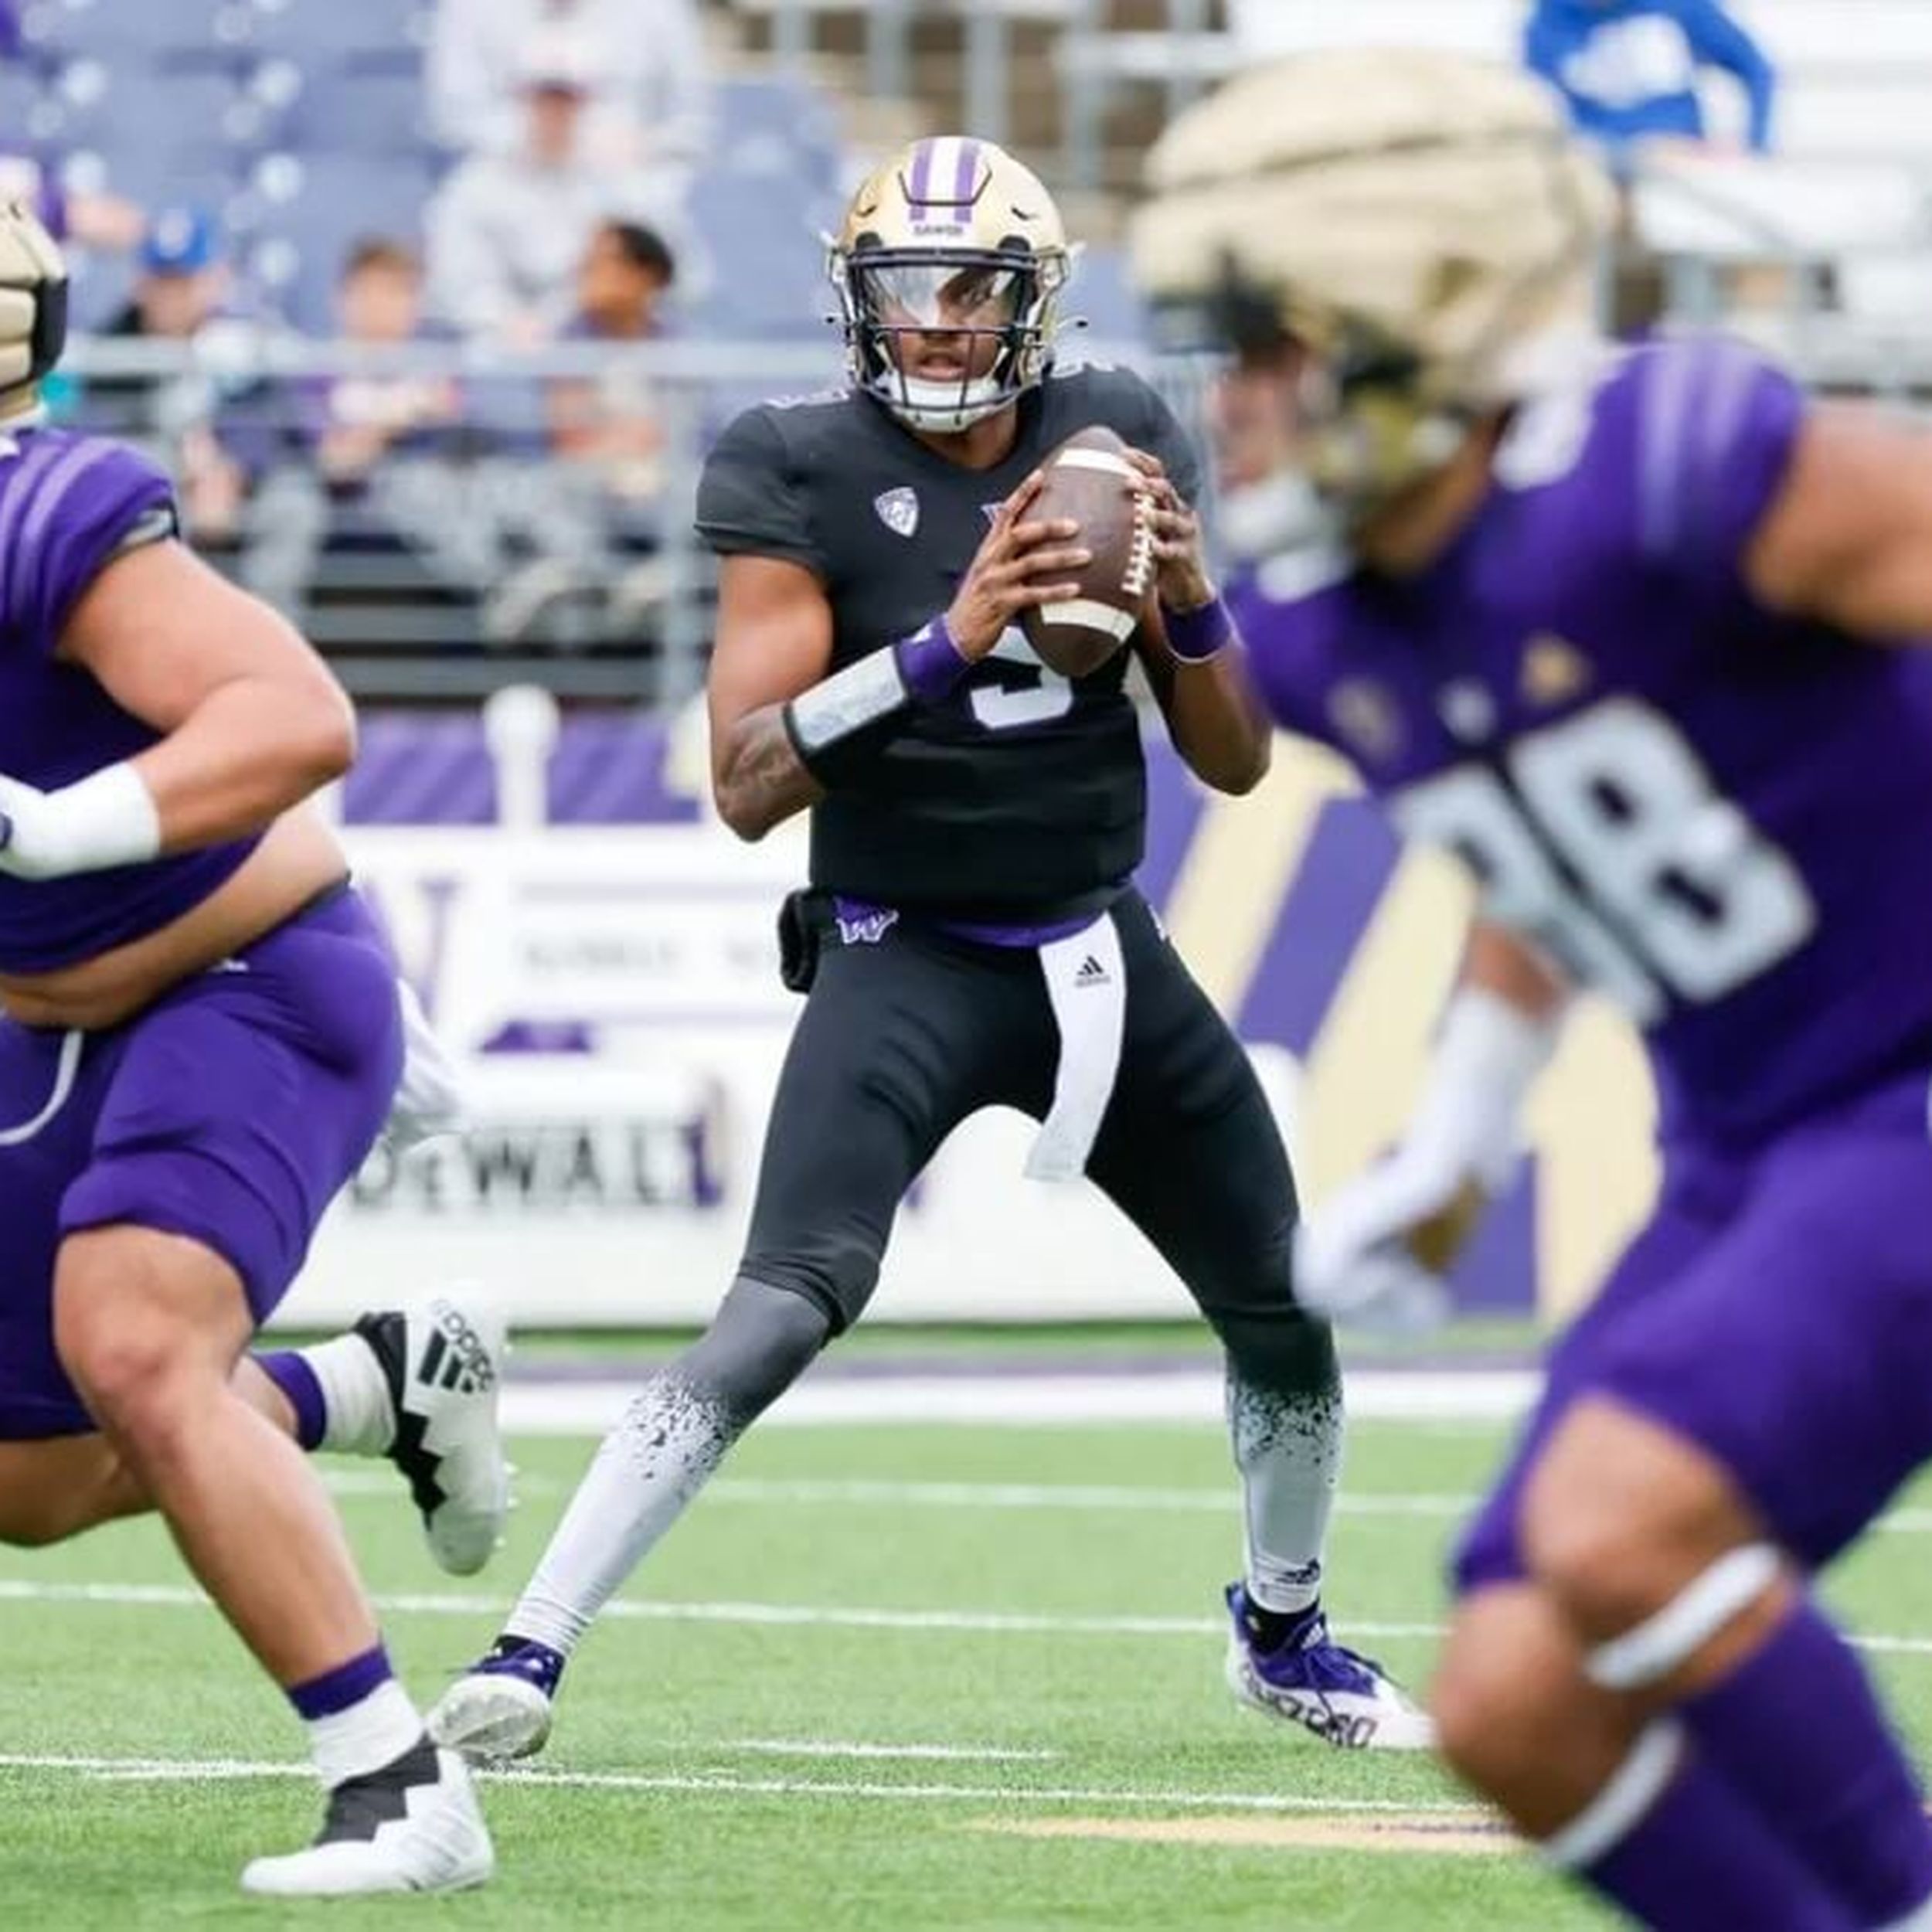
1021 1402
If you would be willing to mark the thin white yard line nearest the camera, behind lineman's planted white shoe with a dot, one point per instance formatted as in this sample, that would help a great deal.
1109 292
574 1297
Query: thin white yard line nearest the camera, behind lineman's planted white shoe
181 1771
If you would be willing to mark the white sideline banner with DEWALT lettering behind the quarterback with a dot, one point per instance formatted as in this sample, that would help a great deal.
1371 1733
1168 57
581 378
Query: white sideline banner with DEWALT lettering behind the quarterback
613 996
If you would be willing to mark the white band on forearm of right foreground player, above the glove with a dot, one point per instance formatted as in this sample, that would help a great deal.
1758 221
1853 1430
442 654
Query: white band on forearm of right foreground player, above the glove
1489 1056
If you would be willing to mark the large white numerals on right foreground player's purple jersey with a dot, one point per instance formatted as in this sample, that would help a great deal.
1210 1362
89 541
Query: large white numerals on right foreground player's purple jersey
1605 839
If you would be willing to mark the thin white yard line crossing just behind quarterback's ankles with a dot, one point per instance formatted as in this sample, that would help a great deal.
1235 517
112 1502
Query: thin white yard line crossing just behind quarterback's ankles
791 1616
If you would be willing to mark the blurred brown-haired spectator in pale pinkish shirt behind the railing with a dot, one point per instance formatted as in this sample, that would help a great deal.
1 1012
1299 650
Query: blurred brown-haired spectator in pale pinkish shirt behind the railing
358 420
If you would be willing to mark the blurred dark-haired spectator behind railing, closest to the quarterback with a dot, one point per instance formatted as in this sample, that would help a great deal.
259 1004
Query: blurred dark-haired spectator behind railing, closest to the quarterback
613 422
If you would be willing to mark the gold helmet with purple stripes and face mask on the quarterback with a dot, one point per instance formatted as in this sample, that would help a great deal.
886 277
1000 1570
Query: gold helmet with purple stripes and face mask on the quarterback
938 215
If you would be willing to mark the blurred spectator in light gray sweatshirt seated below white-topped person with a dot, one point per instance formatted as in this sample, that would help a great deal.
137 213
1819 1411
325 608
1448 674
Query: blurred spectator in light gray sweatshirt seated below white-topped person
507 233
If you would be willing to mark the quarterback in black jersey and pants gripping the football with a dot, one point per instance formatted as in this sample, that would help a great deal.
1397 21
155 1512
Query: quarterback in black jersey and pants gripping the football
973 934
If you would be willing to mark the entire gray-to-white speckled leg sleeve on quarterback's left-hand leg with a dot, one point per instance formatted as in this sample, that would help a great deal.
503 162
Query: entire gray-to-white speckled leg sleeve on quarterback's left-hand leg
664 1452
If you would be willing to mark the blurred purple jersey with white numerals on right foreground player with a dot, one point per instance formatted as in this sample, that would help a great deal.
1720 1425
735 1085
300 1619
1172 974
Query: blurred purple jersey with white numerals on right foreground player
1709 812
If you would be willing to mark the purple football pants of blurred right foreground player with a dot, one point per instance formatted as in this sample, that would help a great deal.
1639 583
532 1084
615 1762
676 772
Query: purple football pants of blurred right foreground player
1776 1313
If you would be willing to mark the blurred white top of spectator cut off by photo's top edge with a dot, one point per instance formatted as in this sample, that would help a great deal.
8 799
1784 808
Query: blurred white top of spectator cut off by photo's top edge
648 88
